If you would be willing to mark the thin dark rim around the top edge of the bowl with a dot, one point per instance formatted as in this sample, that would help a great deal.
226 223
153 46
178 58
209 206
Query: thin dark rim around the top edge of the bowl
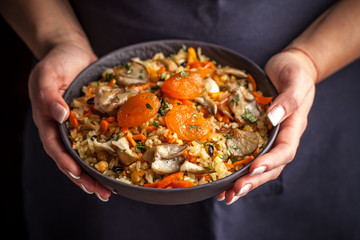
236 175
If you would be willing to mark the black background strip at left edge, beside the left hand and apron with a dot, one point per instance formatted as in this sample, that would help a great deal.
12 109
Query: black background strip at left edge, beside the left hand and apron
16 62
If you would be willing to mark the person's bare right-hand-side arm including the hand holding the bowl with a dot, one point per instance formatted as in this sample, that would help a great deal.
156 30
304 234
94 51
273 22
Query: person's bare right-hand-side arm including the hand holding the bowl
331 42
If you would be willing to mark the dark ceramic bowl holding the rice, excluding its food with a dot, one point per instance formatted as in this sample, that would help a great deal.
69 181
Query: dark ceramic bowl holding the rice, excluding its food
147 50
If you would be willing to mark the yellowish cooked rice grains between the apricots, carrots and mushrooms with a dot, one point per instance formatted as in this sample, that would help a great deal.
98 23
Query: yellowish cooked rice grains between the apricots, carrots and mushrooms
140 171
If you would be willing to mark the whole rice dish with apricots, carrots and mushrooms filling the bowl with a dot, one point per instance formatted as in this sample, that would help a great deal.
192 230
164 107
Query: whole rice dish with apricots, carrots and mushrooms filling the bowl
170 121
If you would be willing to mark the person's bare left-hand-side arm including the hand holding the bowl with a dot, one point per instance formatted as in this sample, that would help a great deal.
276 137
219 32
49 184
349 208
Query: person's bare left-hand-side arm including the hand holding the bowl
52 32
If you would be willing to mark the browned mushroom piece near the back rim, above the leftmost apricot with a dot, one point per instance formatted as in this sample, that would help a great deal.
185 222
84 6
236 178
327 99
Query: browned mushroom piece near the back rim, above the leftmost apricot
131 73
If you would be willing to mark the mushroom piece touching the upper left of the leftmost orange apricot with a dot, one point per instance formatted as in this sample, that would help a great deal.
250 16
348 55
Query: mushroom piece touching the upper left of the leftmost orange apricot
108 99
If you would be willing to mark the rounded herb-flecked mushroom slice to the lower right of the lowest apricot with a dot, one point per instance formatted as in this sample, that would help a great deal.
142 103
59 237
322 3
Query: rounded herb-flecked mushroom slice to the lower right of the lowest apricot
243 142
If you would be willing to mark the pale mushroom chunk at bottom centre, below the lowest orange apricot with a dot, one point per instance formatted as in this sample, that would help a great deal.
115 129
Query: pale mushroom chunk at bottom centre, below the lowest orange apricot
165 158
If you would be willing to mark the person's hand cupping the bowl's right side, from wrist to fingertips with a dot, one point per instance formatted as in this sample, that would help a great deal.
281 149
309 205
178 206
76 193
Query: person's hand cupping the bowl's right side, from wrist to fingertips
293 75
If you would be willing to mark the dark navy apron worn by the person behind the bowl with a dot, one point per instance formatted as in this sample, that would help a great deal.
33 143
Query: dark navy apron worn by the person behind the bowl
316 197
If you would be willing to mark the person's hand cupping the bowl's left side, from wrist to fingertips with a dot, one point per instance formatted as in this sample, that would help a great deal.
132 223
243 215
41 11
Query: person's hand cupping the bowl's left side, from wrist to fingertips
47 83
